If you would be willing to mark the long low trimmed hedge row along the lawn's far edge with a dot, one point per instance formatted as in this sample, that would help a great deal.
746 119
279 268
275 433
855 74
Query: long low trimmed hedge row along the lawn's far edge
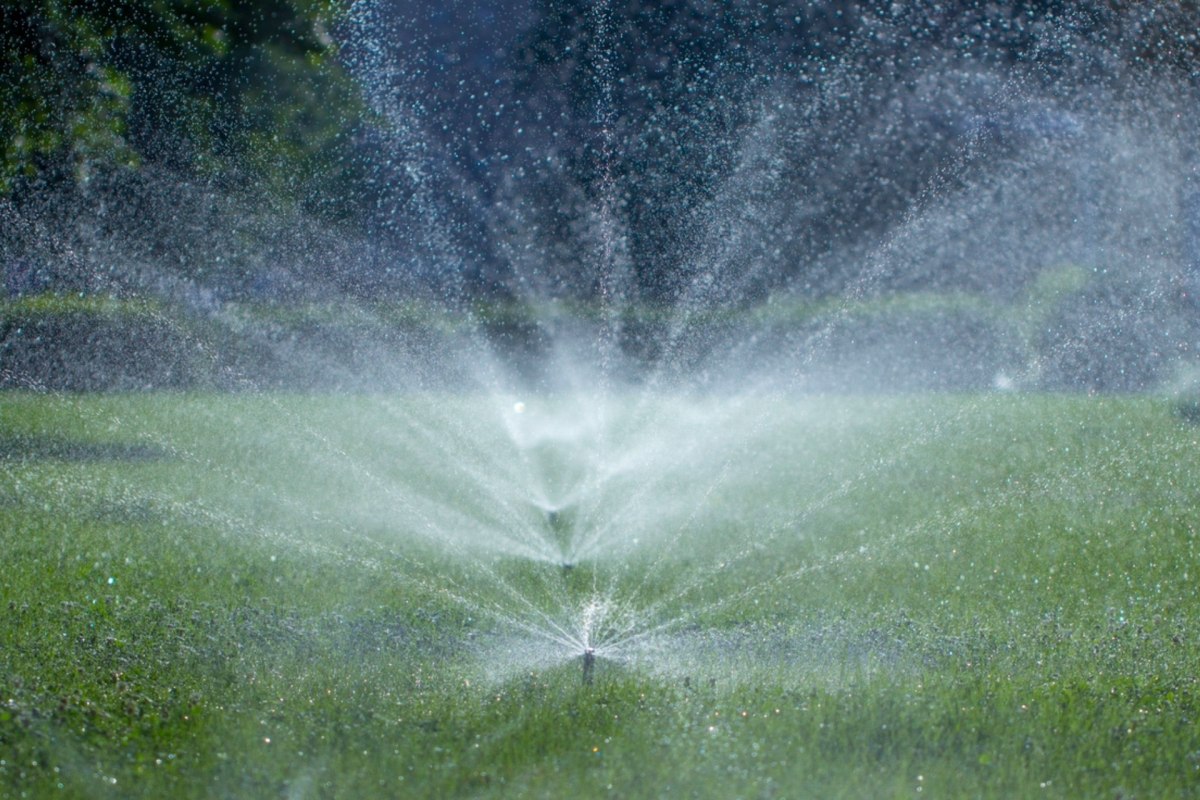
135 347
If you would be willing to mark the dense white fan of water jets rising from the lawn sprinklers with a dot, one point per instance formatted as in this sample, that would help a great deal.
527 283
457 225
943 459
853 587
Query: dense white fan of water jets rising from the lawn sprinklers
589 456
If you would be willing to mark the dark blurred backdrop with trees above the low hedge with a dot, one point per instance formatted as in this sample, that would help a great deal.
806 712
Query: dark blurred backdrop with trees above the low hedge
661 155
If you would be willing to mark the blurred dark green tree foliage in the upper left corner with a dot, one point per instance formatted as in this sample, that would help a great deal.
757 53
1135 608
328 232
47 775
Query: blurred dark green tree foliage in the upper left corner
221 89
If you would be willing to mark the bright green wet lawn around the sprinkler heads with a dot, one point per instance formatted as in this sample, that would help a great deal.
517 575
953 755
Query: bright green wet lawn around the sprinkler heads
956 597
